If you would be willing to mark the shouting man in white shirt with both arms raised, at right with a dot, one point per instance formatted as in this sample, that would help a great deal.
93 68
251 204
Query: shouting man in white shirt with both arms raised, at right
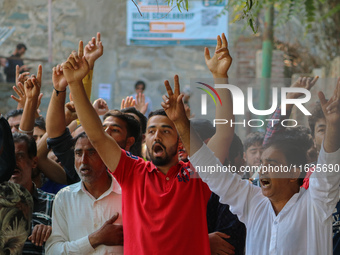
281 217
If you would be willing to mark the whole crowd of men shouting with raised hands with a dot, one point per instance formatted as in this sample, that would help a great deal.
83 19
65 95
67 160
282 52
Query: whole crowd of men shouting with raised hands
131 184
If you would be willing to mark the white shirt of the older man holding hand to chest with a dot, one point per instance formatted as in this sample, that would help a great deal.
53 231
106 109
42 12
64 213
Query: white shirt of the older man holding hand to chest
77 214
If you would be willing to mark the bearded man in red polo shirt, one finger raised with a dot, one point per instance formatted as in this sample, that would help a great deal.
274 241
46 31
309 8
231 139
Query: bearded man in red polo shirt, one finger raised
164 207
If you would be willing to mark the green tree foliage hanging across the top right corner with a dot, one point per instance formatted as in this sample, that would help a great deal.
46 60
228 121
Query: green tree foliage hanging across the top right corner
318 18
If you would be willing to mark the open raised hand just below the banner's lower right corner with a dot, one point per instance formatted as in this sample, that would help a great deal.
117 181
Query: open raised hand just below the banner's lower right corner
220 63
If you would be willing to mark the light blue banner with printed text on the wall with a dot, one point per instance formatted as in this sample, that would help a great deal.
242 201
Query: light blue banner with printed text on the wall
162 25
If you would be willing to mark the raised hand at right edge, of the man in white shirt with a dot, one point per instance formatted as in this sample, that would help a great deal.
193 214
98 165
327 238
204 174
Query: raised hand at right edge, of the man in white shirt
331 107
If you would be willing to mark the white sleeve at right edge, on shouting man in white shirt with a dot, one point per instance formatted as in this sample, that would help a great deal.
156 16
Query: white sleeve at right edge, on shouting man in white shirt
324 183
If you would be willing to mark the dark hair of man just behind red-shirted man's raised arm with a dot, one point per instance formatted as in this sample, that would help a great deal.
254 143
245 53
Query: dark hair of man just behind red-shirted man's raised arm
132 125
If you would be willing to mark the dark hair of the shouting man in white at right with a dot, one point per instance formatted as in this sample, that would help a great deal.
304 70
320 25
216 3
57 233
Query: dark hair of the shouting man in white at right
295 154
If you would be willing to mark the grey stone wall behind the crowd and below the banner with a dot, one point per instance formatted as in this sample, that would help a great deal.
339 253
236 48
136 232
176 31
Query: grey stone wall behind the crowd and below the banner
121 65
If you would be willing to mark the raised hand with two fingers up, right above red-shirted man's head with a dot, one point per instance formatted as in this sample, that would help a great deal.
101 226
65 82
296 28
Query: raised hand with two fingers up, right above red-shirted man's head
173 103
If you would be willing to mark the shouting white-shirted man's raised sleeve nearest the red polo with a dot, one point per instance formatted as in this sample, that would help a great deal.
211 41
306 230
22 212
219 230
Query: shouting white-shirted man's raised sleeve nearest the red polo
240 195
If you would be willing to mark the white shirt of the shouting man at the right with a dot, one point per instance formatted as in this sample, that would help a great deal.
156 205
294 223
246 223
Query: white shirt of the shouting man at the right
303 226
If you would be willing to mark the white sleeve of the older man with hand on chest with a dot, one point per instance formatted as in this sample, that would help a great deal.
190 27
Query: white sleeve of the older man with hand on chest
58 242
